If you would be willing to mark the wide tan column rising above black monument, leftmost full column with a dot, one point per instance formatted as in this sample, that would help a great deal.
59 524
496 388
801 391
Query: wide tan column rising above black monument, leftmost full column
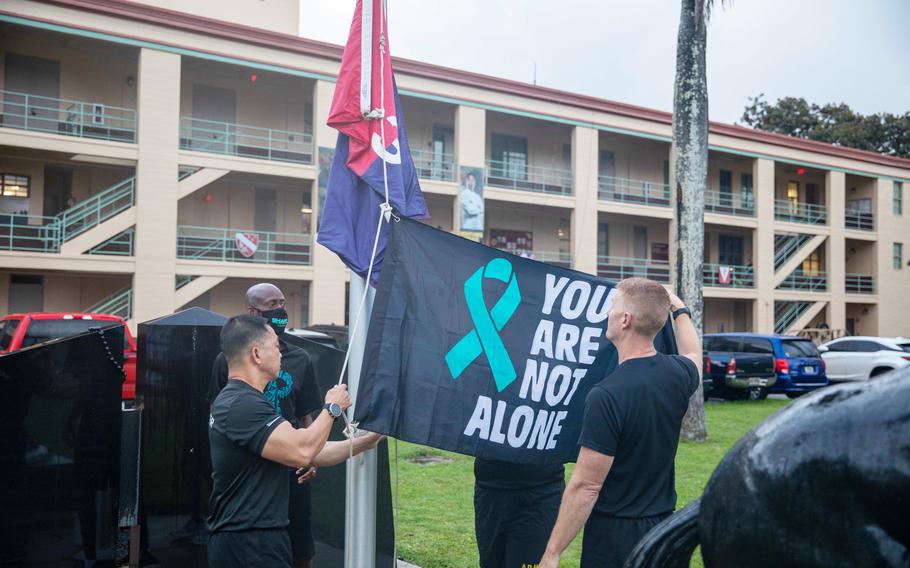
156 184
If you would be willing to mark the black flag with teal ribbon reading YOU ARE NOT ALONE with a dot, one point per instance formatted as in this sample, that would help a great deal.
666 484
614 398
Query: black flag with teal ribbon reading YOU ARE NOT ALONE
481 352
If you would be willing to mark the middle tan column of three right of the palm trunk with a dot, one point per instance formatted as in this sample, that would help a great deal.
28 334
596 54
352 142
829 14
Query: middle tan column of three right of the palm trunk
835 193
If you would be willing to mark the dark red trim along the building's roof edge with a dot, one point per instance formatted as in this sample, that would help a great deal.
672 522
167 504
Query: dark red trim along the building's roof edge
265 38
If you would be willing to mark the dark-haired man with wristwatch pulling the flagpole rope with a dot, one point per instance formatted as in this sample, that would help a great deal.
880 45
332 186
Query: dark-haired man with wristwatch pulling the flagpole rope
252 446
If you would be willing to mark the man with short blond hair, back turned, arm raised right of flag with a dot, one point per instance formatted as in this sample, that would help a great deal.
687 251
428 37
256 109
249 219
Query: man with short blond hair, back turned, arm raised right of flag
624 481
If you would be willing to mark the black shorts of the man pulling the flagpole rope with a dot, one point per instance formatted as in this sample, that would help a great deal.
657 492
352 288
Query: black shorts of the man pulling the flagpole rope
255 548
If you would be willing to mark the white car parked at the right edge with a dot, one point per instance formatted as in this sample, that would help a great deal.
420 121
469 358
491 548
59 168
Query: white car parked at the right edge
861 358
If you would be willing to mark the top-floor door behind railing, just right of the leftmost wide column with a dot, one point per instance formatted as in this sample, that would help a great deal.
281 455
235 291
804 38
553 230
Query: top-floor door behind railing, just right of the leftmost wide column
214 114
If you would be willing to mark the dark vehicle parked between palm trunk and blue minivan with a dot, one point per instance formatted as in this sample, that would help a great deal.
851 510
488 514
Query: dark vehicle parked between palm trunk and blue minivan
738 365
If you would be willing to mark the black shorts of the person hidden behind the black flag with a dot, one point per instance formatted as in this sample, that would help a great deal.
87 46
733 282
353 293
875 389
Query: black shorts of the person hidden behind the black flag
512 525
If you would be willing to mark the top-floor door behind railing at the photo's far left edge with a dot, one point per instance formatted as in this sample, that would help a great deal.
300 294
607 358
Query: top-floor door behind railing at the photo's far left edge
32 87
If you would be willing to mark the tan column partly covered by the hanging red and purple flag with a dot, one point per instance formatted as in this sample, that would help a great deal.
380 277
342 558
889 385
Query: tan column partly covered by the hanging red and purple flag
330 274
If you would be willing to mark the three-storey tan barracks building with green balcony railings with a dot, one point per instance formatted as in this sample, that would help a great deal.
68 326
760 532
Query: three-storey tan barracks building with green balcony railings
153 159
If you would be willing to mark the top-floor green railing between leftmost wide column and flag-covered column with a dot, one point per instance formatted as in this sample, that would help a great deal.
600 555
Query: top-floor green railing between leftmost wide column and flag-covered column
246 141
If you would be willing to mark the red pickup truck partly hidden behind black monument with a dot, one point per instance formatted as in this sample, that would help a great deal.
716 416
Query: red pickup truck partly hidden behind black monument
18 331
